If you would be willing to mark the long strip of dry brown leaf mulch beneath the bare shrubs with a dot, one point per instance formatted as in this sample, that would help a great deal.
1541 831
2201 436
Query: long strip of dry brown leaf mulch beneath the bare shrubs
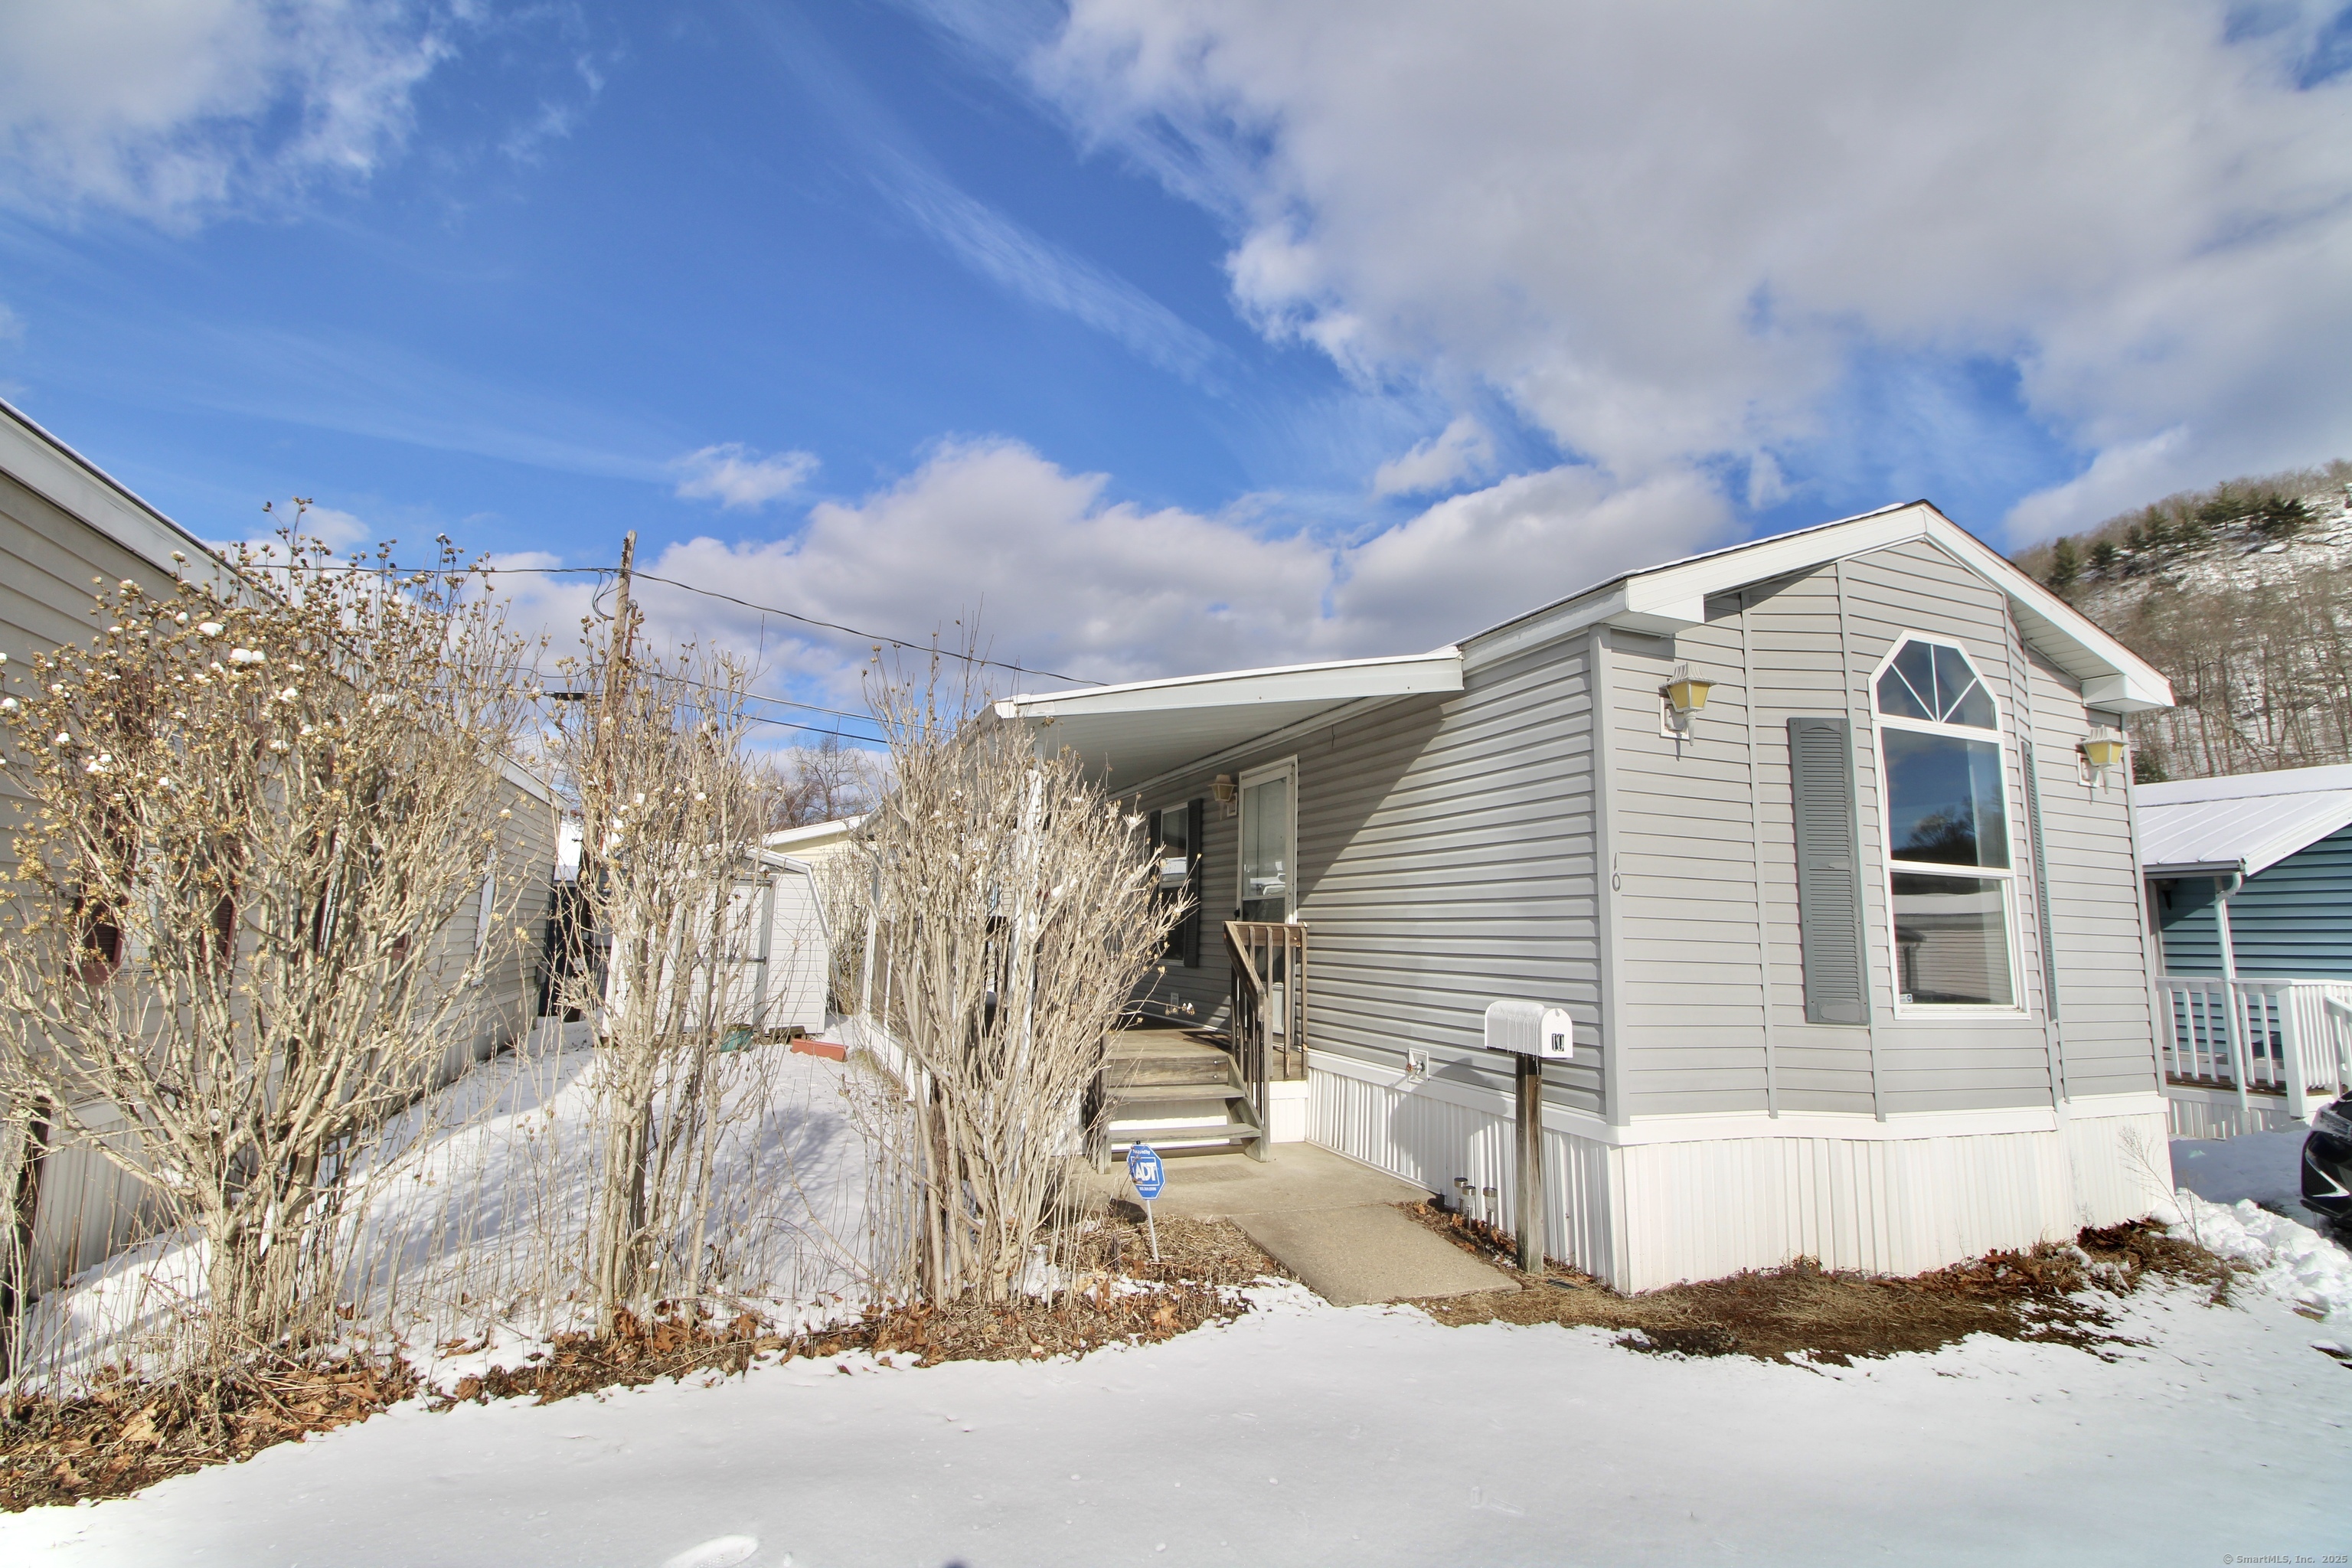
128 1435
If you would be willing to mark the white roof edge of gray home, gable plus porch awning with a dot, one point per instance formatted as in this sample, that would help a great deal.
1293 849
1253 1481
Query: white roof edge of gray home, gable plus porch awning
1187 723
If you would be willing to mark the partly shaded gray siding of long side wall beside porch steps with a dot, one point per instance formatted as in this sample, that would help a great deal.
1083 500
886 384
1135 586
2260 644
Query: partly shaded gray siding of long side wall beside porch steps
1445 859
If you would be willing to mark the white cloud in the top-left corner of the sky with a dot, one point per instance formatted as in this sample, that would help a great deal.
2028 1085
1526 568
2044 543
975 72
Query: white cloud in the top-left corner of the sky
173 109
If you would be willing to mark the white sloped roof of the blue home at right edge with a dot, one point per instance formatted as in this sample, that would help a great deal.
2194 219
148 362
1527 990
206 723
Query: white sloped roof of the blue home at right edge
2250 819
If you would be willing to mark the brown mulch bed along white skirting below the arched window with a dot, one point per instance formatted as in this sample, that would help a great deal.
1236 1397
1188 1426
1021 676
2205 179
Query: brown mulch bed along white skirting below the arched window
2050 1294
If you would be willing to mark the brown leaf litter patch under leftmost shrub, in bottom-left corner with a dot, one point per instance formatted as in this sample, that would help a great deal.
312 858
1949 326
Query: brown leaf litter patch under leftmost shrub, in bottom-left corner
128 1435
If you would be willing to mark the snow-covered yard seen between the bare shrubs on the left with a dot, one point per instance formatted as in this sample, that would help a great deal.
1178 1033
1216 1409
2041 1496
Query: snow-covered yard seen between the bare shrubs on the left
476 1205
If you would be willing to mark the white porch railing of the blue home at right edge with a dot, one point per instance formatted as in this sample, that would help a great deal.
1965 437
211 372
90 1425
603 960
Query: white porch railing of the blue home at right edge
2285 1038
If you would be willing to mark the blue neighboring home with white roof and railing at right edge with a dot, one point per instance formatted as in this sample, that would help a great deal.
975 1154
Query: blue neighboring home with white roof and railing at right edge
2250 885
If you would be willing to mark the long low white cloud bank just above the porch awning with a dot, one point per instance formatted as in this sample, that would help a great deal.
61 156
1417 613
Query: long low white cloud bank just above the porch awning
1060 577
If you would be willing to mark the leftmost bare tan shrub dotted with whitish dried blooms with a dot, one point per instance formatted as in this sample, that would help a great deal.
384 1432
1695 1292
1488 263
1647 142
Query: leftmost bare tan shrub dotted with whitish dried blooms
241 845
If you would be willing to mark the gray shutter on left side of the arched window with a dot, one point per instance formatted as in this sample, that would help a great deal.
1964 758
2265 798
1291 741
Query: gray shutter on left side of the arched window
1829 871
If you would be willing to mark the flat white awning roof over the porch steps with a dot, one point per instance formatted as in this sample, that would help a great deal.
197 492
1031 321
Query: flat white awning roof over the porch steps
1142 732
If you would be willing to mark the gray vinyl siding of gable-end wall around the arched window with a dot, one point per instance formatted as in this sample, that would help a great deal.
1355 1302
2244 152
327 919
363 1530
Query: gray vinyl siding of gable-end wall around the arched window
1709 904
